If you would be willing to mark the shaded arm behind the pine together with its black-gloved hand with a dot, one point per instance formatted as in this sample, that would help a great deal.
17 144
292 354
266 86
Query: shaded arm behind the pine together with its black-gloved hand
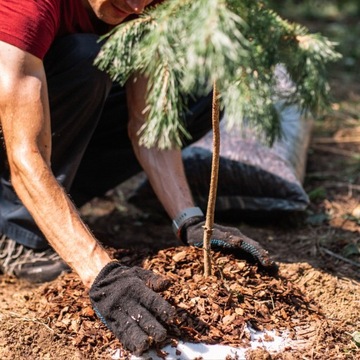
166 174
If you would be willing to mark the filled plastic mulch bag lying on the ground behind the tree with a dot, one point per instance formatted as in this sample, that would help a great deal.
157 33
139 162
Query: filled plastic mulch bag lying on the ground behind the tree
252 176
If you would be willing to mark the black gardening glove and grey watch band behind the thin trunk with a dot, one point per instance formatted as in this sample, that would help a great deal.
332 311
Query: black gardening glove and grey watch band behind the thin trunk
189 228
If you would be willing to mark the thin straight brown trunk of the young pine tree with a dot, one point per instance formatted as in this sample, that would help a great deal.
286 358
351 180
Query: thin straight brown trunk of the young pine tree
210 212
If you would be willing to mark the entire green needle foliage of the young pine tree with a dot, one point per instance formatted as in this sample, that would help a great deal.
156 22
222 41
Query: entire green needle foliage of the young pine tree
184 46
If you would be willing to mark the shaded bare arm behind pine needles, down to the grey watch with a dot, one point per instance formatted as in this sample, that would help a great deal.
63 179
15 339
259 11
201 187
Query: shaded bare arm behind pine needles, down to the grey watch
164 168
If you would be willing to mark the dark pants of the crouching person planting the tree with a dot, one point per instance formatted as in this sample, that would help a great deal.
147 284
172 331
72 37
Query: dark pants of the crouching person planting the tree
91 150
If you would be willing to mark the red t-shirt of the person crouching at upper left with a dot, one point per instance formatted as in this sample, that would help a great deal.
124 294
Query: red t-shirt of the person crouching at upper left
32 25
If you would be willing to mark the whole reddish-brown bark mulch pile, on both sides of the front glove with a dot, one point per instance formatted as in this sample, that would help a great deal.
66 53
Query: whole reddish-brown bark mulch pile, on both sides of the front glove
213 310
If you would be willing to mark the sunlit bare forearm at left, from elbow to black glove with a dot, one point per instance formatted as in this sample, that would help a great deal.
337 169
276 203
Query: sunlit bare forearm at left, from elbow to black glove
59 221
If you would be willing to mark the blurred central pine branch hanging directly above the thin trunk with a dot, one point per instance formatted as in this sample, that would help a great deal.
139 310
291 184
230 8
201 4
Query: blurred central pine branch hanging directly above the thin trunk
213 45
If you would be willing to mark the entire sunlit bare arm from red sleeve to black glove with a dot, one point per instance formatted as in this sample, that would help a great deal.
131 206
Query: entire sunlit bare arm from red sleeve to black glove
25 122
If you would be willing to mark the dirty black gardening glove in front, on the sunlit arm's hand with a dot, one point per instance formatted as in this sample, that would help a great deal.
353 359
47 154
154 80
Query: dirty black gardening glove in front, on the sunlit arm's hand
126 302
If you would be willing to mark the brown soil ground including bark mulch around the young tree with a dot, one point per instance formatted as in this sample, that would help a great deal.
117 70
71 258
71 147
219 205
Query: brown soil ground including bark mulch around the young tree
315 297
